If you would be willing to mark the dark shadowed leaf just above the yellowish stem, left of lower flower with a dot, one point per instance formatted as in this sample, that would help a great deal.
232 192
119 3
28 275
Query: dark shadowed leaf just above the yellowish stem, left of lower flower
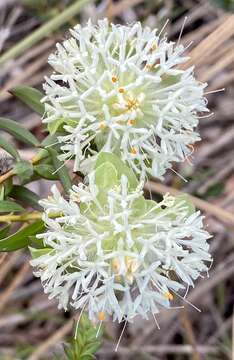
26 196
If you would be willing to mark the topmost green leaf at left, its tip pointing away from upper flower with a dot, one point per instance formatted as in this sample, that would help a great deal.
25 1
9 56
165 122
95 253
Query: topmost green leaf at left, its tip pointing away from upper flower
30 96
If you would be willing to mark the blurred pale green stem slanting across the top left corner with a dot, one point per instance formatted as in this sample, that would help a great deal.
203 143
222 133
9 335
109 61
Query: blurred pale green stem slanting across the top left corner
43 31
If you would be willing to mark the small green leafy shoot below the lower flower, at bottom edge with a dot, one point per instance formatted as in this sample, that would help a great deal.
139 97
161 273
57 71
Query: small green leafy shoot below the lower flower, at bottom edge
86 343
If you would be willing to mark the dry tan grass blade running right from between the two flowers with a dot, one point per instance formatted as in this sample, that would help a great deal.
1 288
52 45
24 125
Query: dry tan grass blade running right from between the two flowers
214 210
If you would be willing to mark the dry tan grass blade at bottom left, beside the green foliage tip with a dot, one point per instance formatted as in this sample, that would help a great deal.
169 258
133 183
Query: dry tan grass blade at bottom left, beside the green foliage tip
55 338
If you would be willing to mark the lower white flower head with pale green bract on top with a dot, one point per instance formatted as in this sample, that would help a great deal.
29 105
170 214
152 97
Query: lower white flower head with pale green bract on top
113 252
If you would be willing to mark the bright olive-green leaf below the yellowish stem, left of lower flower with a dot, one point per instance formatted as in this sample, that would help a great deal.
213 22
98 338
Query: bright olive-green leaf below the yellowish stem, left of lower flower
20 239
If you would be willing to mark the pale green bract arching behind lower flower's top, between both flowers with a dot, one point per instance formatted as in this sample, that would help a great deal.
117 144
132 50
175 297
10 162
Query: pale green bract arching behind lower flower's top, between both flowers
119 165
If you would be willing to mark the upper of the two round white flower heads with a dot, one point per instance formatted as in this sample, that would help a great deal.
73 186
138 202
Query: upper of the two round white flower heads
119 89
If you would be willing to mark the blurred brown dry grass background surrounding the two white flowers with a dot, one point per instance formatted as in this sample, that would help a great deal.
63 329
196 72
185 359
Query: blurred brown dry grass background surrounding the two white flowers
31 326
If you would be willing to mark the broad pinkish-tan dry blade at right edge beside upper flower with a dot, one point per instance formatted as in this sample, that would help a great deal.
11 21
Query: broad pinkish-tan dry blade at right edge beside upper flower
211 43
